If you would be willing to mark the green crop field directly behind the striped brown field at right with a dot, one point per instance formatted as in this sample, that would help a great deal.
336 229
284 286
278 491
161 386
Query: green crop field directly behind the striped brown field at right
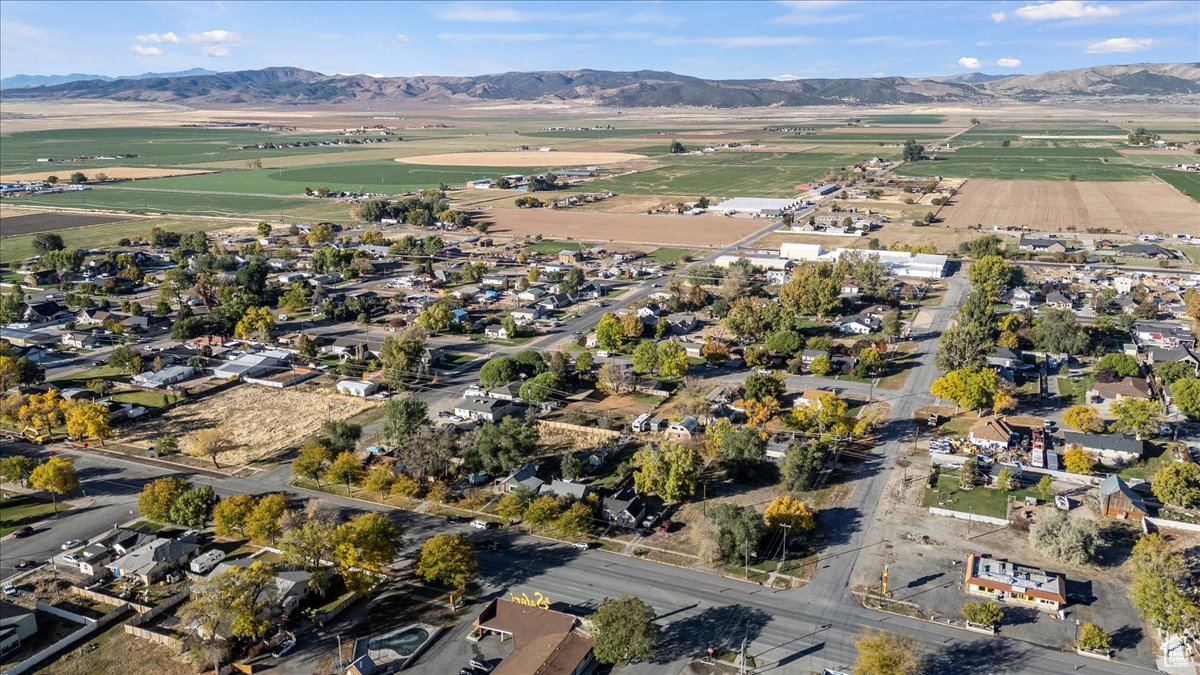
1029 164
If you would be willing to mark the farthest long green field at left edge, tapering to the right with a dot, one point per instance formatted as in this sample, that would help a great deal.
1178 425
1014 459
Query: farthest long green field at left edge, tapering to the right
153 147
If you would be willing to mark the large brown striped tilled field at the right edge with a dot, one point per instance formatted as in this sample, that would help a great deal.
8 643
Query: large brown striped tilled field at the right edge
1129 207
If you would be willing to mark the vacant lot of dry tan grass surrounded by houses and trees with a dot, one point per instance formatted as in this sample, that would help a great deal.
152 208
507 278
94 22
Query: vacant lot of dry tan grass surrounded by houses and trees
260 422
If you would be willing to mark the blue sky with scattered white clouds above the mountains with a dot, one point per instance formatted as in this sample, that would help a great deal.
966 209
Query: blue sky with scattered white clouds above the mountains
719 40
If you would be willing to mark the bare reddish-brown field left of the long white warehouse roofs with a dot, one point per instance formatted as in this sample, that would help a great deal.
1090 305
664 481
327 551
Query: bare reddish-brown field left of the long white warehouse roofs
709 231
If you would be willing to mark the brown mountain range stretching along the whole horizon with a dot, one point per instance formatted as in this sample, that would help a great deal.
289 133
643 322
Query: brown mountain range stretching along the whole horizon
291 86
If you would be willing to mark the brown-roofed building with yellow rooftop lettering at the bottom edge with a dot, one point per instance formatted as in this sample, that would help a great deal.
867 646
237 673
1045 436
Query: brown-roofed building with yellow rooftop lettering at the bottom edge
544 641
